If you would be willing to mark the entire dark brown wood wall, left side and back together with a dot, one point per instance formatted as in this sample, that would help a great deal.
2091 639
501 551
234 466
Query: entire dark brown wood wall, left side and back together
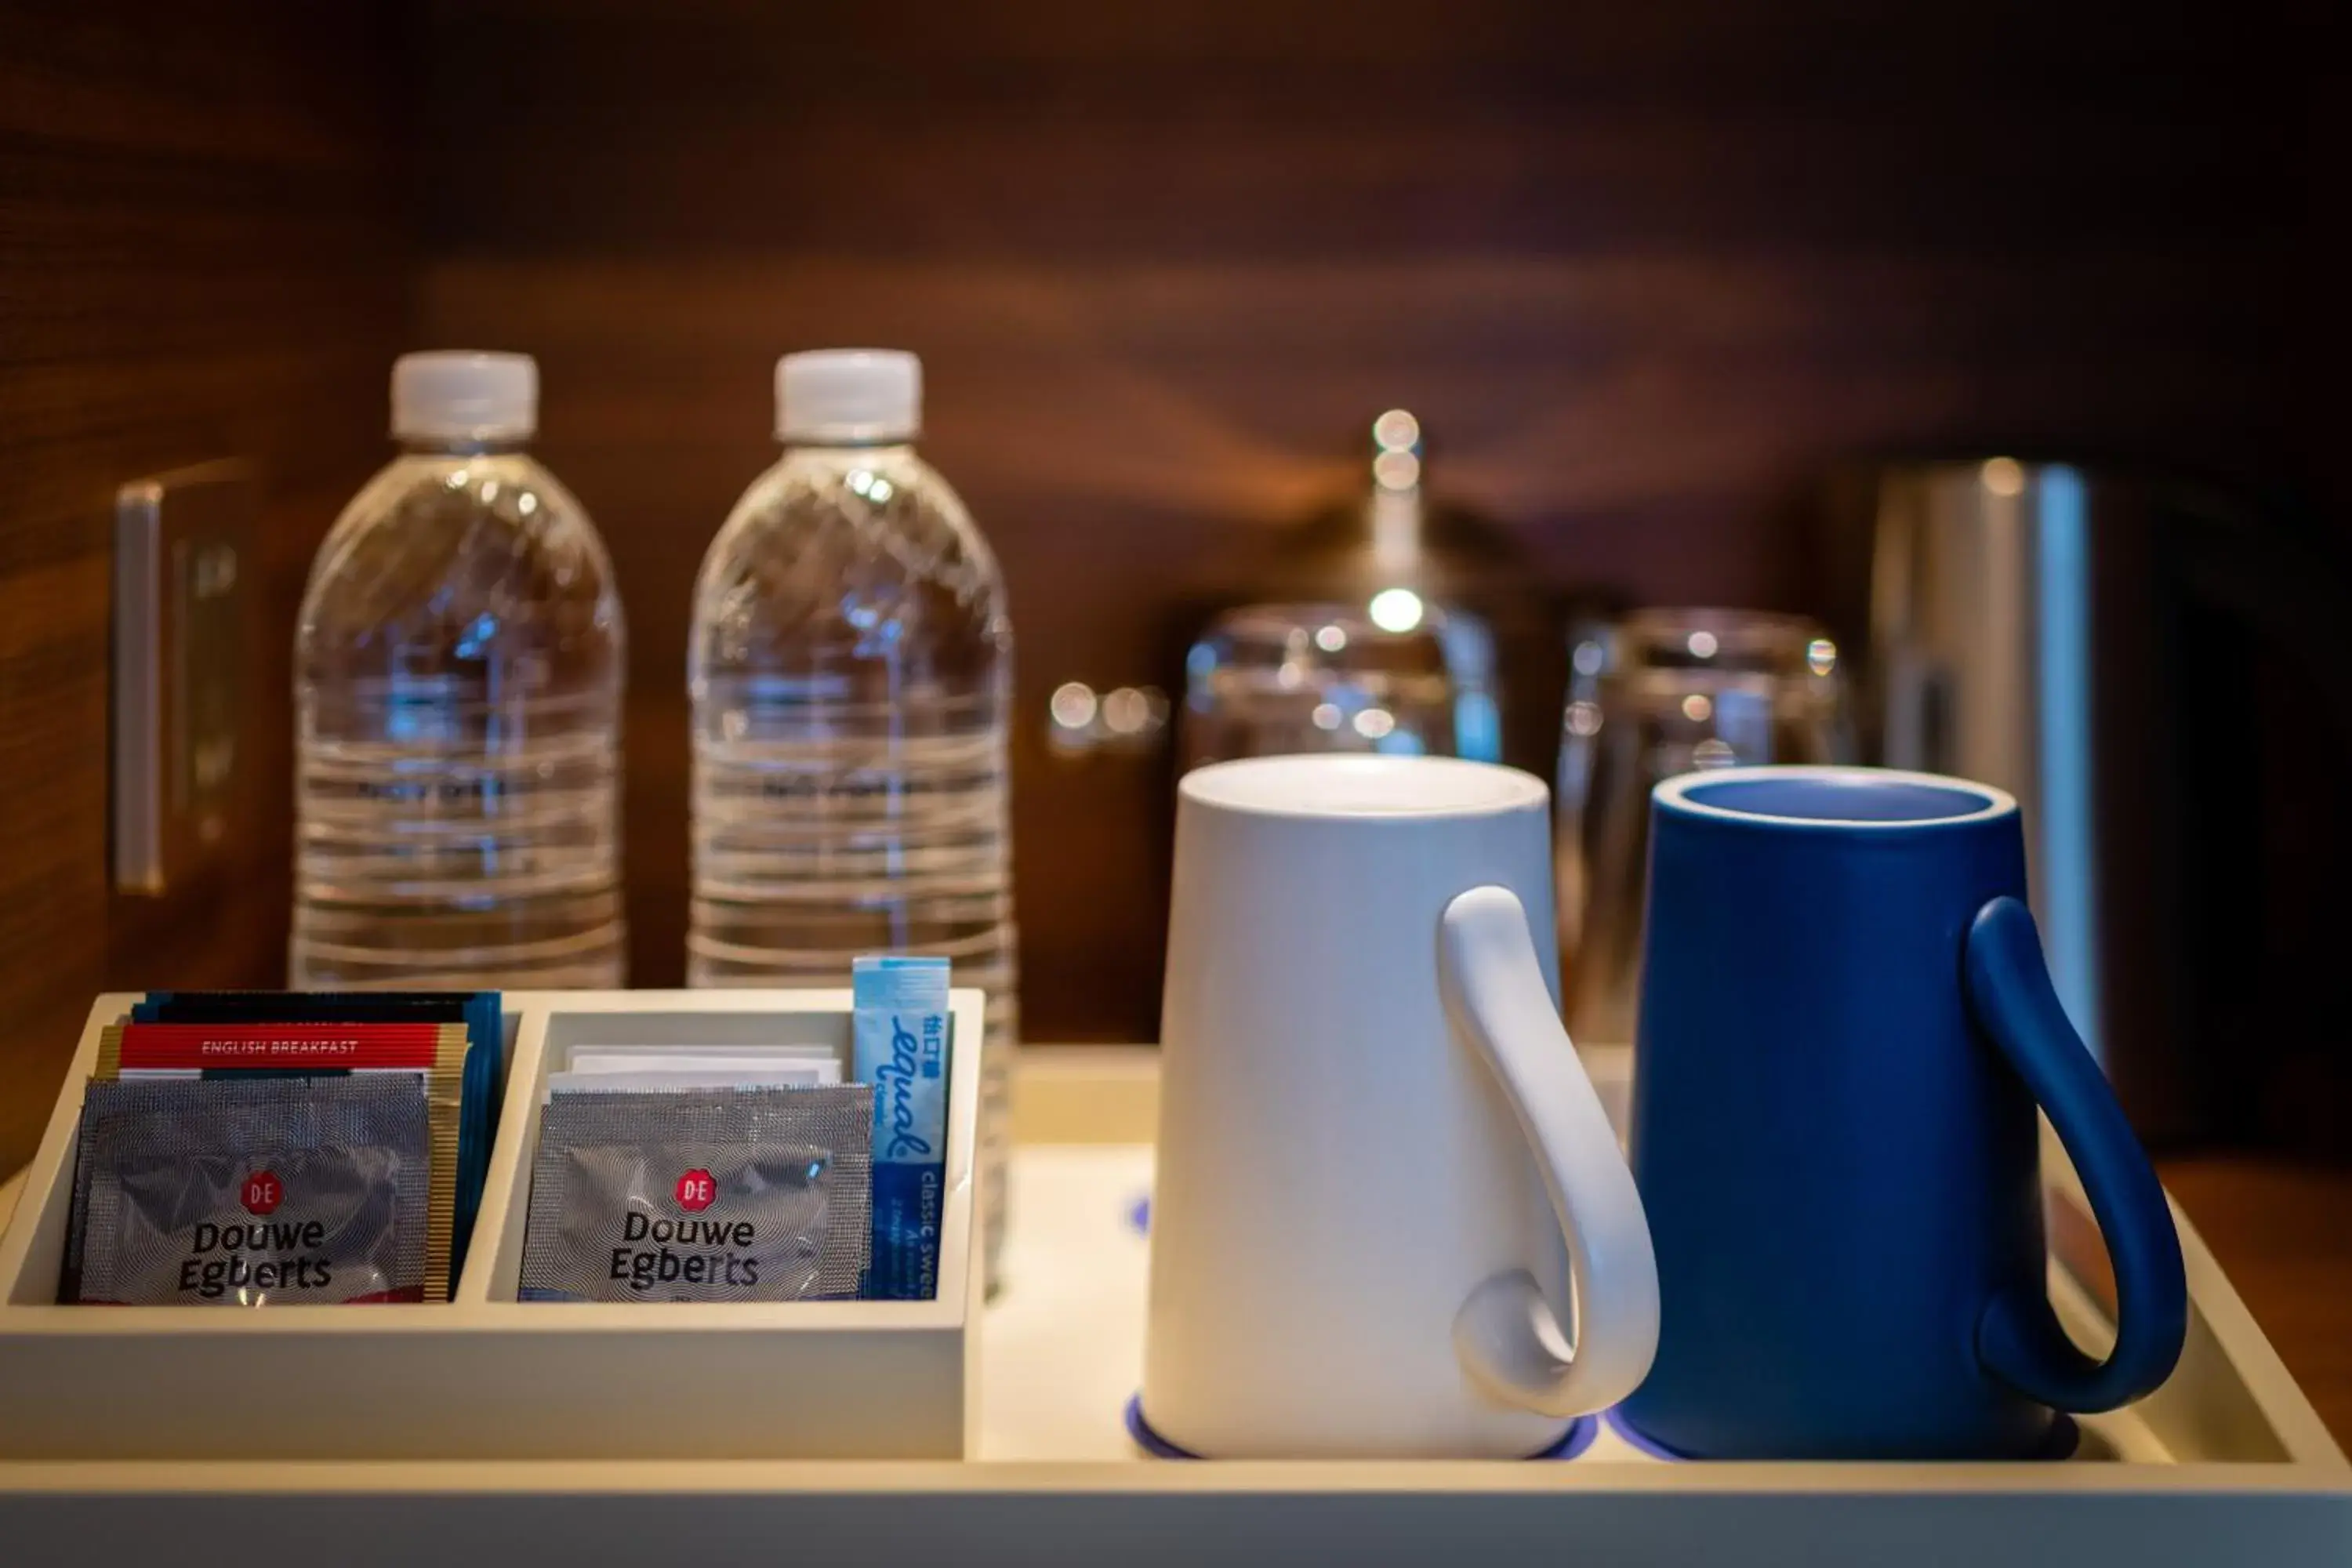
1645 274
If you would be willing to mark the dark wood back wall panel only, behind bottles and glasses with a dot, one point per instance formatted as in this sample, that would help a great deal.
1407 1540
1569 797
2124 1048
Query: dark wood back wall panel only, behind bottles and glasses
1645 272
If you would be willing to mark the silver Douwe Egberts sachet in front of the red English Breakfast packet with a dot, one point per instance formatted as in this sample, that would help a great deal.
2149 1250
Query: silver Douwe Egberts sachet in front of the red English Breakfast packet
255 1193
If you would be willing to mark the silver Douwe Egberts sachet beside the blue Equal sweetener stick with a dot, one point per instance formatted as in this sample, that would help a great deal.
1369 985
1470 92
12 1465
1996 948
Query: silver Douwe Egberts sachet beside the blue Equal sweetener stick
744 1195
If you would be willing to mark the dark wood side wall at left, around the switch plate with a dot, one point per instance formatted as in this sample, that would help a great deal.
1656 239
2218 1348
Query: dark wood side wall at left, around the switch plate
201 255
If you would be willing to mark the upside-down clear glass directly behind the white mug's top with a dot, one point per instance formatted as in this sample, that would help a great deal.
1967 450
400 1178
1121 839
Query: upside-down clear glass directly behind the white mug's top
1323 678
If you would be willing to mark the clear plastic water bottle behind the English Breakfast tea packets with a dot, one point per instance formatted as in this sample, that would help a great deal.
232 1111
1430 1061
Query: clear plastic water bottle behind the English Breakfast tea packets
457 688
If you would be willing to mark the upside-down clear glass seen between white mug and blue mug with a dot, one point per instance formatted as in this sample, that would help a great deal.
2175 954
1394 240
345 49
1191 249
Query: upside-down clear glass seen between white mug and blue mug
1657 695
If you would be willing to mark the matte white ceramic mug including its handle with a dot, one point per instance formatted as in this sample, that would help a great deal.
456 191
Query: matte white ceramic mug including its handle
1379 1158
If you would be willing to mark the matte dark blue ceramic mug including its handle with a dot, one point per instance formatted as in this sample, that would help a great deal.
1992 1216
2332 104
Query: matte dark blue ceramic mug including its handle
1845 1033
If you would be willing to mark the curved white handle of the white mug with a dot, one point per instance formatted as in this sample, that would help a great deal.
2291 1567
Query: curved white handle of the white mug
1497 998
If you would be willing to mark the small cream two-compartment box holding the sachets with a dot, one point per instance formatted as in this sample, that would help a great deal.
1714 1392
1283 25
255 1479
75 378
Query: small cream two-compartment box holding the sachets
486 1376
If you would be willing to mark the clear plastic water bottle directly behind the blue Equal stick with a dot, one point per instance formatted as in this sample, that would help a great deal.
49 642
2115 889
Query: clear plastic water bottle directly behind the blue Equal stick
853 674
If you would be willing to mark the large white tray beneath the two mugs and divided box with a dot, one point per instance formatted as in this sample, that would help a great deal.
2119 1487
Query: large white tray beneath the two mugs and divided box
2224 1466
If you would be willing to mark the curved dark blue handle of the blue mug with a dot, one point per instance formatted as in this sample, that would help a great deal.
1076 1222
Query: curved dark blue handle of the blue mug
2019 1336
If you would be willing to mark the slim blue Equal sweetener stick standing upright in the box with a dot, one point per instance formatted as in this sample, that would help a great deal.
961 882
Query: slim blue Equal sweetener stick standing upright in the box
900 1036
